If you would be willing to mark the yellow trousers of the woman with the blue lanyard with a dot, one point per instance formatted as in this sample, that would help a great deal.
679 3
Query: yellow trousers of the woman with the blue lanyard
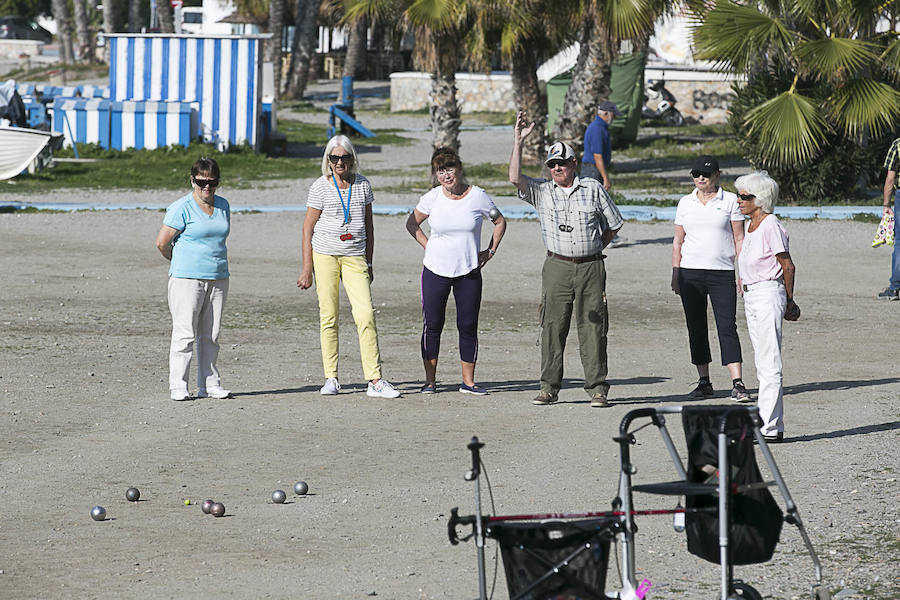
352 270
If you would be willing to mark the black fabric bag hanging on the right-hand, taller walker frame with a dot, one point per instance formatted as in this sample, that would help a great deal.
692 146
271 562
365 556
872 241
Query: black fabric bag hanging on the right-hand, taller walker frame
756 519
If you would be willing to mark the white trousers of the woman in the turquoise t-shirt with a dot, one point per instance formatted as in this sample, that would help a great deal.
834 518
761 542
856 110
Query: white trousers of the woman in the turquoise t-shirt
196 306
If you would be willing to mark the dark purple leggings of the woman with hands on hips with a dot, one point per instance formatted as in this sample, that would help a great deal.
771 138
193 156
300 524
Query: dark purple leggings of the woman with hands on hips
467 294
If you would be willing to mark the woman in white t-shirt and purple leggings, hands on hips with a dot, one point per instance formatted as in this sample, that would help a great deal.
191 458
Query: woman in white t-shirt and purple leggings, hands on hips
453 260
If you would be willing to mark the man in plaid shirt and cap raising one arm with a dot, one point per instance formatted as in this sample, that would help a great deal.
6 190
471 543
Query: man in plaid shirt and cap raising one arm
578 219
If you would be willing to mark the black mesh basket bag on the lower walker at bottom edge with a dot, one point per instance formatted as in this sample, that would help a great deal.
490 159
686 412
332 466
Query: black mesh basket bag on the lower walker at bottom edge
531 551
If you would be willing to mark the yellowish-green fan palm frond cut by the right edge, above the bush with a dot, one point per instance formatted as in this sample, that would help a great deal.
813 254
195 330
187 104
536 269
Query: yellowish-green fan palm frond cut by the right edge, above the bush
865 106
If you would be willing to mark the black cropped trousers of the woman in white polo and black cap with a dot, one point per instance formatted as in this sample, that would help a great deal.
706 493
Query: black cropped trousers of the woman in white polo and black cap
720 287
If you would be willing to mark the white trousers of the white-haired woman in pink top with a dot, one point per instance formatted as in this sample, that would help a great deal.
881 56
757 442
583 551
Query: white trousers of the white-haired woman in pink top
764 305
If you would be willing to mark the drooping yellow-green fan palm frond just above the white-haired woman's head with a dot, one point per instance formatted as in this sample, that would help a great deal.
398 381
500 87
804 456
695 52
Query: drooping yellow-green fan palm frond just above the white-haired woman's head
790 128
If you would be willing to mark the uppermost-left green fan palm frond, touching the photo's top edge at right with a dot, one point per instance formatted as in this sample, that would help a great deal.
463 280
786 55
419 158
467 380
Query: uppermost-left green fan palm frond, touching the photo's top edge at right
732 36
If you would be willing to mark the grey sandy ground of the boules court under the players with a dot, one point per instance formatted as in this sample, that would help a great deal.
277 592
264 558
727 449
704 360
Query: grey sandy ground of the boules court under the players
85 415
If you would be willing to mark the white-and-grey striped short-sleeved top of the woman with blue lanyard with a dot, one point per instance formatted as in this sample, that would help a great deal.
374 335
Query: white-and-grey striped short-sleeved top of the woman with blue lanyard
330 226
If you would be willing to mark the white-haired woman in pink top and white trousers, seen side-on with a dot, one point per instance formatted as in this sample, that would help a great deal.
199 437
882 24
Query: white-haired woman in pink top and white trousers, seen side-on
767 279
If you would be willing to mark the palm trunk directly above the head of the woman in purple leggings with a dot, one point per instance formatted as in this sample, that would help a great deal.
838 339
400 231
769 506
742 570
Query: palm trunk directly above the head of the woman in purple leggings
445 109
